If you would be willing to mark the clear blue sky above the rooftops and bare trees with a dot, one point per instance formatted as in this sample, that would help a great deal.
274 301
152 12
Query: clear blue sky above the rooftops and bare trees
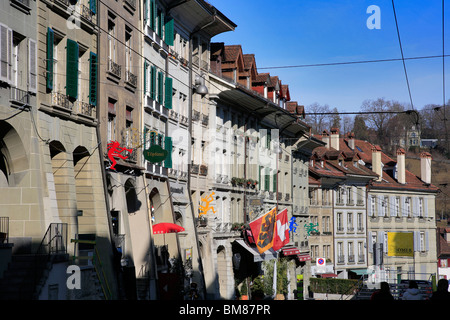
303 32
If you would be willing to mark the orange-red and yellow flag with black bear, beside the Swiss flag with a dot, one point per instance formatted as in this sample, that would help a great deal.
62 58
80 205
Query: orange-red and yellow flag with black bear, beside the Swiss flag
263 230
